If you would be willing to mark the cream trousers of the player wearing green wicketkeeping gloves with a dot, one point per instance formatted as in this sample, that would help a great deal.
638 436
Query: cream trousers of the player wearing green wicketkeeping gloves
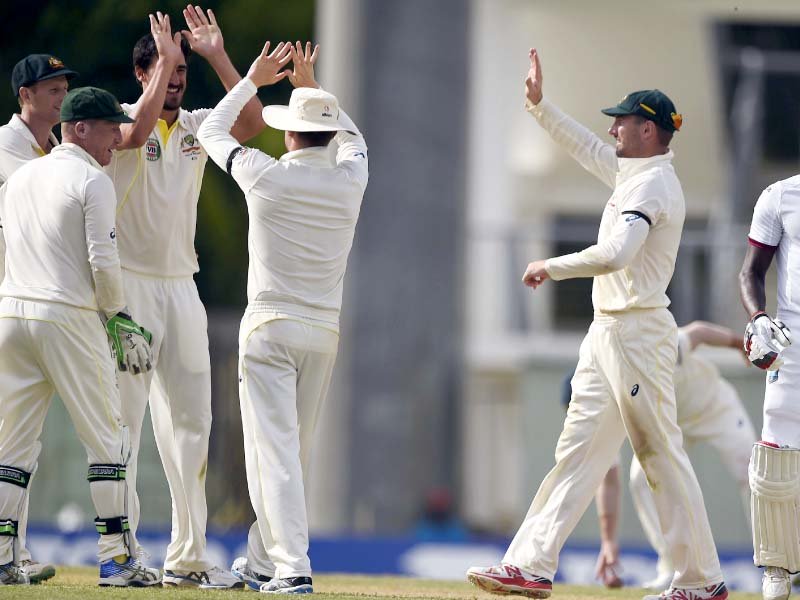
48 348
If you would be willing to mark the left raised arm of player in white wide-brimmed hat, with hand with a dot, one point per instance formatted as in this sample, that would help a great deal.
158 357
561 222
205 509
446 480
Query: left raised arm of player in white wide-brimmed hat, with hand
215 132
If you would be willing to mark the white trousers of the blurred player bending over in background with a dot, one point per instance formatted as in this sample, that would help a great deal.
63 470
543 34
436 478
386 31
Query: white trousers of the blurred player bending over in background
726 426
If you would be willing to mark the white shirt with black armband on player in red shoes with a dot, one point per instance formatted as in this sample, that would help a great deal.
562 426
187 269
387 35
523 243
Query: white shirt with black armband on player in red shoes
644 189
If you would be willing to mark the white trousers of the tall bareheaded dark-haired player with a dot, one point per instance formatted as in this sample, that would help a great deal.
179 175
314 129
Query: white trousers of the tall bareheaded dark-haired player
179 390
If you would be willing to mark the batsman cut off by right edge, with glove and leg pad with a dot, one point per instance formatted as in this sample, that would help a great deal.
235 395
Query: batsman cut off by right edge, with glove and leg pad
775 461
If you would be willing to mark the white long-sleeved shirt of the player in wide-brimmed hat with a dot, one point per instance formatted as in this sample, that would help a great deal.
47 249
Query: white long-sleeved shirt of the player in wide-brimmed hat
302 208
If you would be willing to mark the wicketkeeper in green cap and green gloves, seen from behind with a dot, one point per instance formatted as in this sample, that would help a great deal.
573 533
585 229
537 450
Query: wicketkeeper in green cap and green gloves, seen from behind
63 282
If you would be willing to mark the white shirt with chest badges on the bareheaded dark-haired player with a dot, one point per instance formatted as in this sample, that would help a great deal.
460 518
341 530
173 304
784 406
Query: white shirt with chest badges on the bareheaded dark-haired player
158 186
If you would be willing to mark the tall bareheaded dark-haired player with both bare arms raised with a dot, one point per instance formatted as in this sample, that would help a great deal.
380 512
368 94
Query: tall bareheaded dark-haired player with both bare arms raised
157 177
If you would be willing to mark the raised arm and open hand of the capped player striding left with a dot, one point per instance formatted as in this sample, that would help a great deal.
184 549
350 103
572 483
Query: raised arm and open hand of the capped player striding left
594 155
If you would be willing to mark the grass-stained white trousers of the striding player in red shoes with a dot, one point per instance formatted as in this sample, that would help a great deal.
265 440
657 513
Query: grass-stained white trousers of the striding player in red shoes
622 384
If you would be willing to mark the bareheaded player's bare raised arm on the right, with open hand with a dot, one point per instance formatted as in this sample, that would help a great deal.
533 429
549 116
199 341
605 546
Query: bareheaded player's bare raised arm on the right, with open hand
205 38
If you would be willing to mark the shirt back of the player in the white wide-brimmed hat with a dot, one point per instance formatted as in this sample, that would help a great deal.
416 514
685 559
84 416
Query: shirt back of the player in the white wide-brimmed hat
303 215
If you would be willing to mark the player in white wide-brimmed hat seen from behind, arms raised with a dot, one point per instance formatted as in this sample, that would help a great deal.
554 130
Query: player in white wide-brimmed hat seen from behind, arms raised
303 212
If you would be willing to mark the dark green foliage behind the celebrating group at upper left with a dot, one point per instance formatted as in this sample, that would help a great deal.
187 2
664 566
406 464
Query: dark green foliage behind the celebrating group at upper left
96 38
